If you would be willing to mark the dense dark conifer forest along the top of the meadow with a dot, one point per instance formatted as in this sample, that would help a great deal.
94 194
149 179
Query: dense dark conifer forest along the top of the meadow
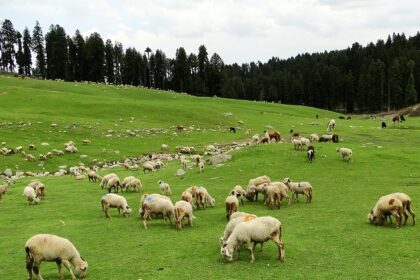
380 76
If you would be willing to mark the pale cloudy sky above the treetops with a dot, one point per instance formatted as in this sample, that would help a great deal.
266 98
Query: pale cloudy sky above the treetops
238 30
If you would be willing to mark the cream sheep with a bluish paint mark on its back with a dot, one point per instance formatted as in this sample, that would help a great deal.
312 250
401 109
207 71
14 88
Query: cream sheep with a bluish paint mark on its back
156 205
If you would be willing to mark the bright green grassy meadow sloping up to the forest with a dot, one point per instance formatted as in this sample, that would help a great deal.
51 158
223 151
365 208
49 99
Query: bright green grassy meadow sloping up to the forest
327 239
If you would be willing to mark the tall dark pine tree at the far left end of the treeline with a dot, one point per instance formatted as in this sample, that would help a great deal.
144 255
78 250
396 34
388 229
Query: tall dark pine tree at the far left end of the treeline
9 39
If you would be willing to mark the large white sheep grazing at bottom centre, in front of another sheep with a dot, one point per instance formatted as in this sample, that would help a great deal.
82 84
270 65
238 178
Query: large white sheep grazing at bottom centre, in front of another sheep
258 230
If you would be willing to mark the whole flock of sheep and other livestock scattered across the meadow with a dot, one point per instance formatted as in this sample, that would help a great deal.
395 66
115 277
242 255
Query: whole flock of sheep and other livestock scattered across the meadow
241 228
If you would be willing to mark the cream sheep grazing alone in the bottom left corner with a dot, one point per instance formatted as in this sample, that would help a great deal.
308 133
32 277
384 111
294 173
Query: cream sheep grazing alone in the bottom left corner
52 248
